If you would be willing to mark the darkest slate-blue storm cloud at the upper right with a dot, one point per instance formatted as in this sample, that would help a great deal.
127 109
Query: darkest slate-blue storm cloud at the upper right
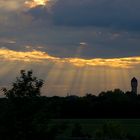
122 14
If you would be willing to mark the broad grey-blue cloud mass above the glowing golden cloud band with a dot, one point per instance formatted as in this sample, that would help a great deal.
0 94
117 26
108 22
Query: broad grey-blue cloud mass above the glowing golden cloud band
59 30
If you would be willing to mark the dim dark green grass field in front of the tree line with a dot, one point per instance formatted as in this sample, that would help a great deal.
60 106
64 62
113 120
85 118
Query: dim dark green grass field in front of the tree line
131 126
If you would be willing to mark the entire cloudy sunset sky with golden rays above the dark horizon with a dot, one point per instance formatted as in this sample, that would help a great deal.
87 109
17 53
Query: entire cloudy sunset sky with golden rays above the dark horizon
75 46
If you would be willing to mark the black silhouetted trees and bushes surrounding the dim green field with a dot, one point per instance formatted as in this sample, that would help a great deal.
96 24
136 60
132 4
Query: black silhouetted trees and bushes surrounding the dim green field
26 115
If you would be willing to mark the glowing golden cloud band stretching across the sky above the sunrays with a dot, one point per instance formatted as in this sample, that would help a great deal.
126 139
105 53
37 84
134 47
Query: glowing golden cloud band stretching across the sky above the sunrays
43 58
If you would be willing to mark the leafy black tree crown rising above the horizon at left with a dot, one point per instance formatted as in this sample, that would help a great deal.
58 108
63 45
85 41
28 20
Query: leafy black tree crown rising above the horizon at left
25 86
